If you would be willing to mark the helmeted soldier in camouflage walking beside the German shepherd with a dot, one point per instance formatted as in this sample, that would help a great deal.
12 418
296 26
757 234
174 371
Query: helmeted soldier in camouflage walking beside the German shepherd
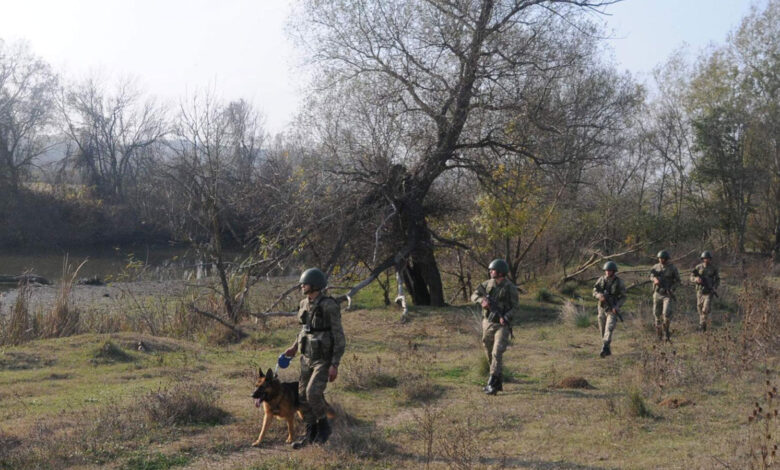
322 344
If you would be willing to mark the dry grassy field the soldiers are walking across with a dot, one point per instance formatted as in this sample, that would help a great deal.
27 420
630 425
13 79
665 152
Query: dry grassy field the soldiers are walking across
408 395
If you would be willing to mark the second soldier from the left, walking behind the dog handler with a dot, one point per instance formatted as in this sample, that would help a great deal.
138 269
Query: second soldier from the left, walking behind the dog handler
498 298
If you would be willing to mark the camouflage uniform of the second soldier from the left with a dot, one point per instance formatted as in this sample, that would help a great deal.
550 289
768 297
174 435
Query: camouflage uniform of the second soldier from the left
495 336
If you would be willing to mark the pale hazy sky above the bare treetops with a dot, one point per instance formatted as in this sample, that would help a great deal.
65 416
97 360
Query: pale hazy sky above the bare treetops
239 46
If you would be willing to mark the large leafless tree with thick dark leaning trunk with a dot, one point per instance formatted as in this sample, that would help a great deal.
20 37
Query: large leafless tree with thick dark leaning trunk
454 79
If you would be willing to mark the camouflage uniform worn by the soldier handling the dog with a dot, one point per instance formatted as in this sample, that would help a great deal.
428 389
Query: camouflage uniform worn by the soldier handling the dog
322 344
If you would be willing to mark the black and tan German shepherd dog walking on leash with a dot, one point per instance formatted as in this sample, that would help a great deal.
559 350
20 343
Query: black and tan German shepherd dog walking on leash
279 400
